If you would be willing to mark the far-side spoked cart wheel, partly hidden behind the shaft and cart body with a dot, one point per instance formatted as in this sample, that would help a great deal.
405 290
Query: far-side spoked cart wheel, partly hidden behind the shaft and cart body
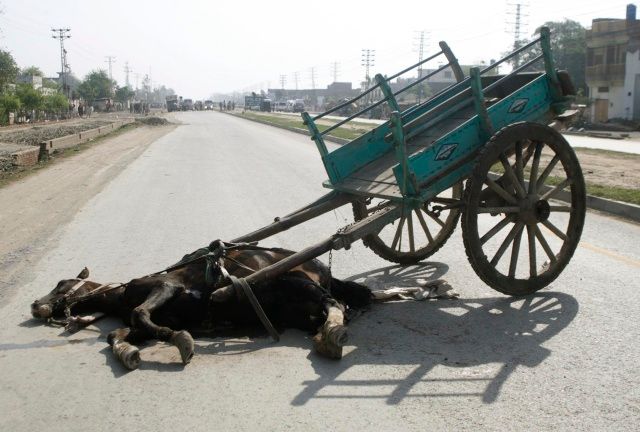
415 236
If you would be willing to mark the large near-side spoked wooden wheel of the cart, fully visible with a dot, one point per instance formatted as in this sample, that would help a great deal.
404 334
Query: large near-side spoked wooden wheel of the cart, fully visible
517 239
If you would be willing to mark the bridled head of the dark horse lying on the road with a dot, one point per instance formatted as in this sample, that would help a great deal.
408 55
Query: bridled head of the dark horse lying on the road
53 304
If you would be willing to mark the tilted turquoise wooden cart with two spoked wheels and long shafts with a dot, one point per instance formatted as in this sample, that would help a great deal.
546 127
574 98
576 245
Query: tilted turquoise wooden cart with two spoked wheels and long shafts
485 149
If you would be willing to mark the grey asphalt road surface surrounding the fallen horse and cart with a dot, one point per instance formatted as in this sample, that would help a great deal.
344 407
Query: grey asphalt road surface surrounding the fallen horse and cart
564 359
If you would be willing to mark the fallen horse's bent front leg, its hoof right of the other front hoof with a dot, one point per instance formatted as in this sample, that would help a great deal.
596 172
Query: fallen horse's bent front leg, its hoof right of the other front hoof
141 319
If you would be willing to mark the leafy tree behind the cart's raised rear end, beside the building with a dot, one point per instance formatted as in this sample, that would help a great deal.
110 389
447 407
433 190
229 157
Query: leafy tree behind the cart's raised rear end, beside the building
568 46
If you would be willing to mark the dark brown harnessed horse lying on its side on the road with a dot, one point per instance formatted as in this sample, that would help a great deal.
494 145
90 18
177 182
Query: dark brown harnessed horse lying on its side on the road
169 304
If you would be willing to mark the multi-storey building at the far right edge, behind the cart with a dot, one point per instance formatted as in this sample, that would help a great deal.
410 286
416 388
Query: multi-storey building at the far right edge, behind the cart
613 67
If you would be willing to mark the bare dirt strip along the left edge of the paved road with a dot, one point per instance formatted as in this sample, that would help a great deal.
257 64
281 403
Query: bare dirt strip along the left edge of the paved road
32 210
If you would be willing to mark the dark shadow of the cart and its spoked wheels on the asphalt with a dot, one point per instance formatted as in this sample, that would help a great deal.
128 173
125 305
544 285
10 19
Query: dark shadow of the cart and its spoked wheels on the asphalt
420 336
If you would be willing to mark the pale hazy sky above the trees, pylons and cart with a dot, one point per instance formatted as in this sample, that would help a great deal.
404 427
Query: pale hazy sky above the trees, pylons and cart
199 47
